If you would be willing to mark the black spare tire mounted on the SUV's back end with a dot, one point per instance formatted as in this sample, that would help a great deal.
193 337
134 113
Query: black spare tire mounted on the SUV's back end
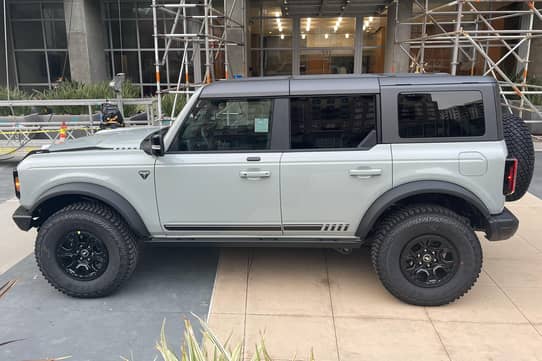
520 146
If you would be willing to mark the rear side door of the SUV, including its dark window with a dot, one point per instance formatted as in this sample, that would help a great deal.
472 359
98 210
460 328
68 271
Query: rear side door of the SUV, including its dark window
334 169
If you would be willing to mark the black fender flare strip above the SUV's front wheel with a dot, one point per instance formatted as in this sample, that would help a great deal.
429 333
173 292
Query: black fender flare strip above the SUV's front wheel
102 194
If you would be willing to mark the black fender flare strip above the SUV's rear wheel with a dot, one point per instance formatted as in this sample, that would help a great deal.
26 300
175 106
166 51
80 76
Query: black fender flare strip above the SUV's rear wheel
403 191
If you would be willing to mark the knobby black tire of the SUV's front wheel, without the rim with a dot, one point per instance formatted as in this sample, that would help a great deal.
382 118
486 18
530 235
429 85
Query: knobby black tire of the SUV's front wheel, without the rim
99 219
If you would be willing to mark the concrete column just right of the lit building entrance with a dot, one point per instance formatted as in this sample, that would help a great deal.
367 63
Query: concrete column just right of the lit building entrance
396 61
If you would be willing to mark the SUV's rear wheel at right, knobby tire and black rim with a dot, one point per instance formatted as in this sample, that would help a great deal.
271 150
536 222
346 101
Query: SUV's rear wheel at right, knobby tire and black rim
426 255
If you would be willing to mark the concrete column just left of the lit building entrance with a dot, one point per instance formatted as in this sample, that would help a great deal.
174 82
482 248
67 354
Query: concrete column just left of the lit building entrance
237 55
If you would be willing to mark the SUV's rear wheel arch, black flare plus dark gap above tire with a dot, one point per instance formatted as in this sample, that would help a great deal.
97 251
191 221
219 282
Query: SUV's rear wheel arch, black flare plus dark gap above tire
454 196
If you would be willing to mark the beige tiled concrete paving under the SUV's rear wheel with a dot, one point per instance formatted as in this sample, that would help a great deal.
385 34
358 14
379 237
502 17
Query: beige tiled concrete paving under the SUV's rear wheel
334 304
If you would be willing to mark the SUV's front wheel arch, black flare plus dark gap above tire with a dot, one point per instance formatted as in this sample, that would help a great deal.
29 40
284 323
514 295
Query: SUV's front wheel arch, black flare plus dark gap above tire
60 196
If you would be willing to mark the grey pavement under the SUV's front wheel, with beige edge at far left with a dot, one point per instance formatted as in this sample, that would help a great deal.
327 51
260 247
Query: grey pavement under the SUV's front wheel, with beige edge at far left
169 284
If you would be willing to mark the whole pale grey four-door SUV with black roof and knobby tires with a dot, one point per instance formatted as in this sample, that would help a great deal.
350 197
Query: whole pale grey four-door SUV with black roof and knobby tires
411 165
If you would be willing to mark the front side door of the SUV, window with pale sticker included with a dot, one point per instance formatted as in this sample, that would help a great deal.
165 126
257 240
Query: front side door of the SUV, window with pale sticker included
219 176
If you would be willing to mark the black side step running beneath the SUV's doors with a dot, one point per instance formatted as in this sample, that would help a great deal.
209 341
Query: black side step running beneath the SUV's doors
260 242
